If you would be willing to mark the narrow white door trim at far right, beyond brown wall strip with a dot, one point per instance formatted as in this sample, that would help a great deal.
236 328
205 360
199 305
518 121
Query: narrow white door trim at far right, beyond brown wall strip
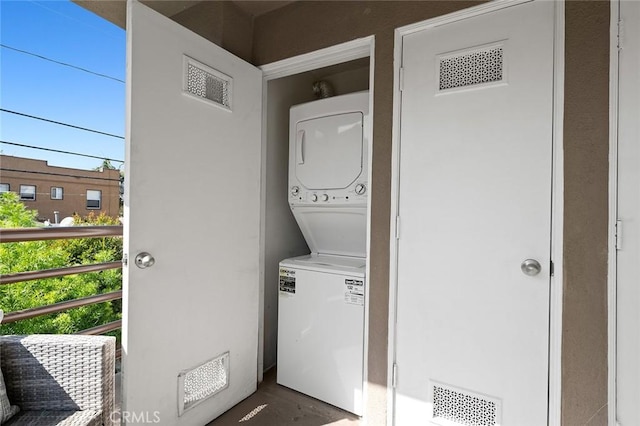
612 276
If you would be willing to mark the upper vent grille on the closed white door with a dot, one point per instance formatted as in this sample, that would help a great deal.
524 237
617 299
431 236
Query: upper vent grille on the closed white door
469 68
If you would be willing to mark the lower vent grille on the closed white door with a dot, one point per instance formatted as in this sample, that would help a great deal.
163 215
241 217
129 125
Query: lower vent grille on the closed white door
465 408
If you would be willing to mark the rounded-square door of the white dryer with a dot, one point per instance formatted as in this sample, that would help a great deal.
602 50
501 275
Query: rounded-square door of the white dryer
329 151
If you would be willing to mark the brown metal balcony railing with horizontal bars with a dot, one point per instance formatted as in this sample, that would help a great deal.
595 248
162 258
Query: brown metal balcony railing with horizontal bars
57 233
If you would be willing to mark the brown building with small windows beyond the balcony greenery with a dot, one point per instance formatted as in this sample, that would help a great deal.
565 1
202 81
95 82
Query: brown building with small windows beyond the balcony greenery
48 189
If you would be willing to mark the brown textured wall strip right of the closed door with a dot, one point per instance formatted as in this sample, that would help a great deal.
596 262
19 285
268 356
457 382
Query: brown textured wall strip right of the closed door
586 151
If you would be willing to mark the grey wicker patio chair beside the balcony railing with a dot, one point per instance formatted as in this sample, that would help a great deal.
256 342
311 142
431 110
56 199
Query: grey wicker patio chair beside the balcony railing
60 379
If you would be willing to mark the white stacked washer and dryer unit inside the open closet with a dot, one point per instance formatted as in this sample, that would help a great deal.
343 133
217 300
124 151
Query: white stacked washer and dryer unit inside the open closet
322 294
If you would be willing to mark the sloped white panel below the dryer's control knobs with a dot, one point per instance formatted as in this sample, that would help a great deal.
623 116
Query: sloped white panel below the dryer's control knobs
333 230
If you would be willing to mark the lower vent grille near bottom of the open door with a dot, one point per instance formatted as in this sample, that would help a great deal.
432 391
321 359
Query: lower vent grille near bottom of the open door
202 382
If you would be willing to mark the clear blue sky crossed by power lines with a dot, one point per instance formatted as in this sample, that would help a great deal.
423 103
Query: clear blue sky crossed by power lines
65 32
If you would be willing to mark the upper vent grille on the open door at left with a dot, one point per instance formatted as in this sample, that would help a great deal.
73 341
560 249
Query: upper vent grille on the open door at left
206 83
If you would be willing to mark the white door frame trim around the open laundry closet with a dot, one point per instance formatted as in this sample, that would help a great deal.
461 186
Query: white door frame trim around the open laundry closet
332 55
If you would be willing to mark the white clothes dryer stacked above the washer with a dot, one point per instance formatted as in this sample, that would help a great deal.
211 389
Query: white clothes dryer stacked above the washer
328 173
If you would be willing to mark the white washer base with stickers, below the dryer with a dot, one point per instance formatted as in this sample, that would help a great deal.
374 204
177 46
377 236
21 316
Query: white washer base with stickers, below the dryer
321 328
